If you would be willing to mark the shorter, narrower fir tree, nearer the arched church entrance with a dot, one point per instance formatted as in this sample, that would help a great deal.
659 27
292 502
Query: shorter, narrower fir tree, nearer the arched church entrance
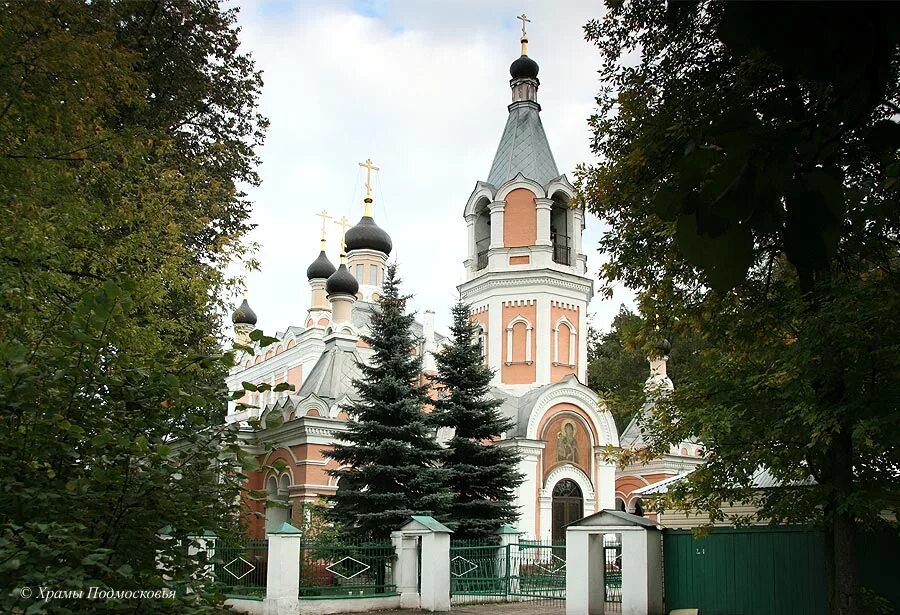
482 476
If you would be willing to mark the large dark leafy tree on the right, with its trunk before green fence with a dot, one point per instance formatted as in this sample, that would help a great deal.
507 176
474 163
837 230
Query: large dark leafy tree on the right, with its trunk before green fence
750 179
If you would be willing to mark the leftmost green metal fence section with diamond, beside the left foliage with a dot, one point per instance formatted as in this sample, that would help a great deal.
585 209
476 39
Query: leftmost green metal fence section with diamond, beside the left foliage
240 566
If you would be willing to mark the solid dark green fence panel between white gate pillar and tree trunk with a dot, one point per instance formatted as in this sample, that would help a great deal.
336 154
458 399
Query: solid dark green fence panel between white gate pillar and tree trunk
747 571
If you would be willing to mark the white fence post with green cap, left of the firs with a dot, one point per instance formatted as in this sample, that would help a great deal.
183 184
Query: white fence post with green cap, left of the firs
283 573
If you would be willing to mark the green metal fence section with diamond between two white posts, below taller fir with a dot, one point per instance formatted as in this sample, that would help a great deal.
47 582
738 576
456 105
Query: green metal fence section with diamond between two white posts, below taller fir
346 570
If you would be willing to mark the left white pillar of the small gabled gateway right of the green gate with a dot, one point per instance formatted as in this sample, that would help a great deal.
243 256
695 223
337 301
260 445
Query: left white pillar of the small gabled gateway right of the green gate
584 572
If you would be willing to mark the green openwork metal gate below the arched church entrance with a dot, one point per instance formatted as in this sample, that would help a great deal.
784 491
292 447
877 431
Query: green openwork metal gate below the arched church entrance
529 570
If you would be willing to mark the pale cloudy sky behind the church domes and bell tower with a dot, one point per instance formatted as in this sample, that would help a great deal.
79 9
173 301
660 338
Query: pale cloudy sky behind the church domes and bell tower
421 87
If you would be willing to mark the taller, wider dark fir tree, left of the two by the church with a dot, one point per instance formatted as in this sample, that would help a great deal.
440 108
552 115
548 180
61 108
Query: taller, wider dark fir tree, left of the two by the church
392 459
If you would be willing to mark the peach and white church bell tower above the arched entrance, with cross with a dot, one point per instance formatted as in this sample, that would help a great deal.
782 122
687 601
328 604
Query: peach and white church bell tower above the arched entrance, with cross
525 271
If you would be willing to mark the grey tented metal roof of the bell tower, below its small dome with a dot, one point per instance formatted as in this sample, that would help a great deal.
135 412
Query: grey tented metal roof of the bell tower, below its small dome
523 148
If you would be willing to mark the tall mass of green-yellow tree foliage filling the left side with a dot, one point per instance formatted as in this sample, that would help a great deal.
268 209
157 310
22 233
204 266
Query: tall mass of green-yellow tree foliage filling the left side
125 128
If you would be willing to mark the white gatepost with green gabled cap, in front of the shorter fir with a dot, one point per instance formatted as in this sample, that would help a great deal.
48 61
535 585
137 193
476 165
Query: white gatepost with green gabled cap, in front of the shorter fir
434 590
